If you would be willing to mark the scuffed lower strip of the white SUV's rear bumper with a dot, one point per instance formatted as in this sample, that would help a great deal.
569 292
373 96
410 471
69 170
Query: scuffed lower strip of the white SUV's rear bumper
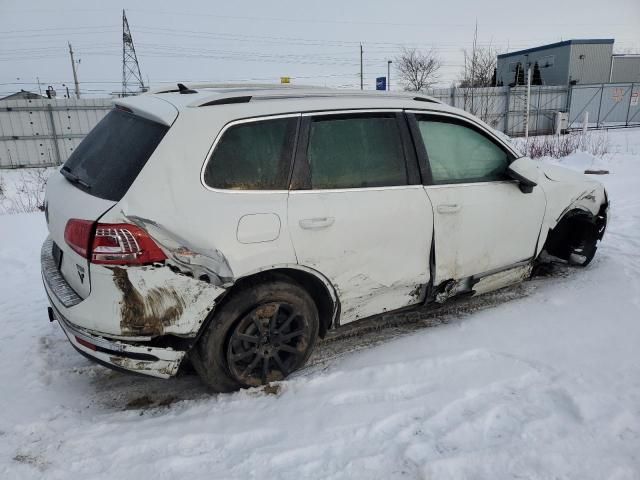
140 359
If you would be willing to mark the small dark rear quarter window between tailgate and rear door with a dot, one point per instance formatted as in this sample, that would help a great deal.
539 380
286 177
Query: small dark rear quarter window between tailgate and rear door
253 156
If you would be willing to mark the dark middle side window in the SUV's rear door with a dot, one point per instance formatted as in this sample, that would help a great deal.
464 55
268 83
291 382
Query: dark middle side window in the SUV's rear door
356 152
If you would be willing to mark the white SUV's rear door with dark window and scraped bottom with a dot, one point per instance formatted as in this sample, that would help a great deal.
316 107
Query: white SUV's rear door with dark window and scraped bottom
357 211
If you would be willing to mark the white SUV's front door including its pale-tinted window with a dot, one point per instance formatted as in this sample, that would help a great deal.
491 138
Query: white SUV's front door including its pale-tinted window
483 222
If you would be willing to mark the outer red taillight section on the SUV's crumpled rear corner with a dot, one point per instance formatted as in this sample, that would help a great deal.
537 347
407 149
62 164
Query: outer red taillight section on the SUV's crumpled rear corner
124 244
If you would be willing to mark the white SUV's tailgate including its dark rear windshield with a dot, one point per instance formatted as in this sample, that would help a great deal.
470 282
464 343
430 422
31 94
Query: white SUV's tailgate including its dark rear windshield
95 177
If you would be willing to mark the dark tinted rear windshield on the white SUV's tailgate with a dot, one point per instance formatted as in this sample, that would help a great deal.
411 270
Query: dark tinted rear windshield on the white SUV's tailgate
109 159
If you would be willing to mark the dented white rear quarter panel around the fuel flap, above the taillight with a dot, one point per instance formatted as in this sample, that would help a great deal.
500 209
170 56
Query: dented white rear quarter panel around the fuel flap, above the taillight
168 194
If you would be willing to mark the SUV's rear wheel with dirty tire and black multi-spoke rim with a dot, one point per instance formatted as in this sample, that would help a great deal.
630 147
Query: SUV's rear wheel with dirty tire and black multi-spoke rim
260 334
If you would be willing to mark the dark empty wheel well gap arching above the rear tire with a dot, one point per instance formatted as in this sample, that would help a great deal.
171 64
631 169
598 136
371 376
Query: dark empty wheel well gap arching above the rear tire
312 284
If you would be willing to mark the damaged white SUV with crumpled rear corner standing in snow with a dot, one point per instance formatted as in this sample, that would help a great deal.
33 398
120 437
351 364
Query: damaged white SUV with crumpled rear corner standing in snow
234 226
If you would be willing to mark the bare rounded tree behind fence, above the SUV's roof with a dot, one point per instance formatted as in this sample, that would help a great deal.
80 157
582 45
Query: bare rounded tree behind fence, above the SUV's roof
417 70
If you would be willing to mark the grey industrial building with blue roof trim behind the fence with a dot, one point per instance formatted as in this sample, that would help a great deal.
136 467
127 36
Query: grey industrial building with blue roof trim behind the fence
570 62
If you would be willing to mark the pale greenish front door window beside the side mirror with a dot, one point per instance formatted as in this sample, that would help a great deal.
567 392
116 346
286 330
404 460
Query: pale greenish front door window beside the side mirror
458 153
